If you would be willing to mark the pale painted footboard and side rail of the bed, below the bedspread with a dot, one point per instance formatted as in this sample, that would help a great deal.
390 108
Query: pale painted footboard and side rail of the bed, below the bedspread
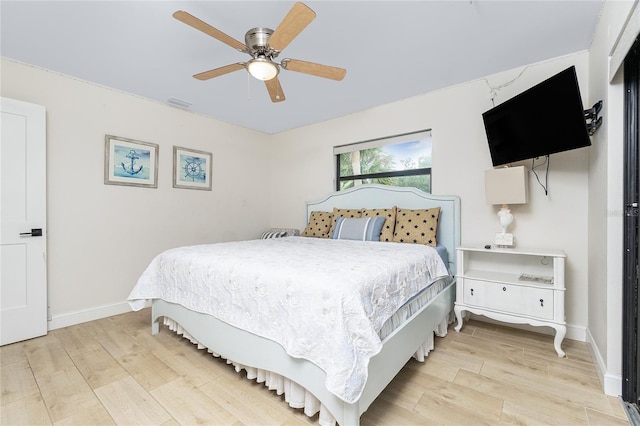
240 346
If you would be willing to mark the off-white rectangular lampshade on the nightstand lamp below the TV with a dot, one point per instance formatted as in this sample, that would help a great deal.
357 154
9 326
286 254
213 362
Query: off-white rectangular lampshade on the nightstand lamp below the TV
507 185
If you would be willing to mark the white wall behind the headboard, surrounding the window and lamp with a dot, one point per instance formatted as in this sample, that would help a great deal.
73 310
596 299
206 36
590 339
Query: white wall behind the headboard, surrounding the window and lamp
303 169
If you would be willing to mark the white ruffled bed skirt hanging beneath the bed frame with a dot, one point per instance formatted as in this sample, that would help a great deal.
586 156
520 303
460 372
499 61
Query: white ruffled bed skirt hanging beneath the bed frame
295 395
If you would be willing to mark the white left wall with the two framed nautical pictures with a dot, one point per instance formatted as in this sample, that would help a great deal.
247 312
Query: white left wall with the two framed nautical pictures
101 237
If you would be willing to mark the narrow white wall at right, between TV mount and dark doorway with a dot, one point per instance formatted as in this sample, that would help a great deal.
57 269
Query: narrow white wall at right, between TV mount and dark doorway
605 202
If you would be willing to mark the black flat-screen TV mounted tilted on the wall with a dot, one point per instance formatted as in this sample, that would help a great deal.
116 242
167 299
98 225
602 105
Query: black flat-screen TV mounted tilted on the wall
545 119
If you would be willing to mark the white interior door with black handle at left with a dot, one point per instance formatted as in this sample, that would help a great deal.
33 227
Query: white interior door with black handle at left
23 263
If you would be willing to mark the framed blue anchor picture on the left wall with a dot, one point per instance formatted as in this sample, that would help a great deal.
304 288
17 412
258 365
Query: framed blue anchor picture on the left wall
130 162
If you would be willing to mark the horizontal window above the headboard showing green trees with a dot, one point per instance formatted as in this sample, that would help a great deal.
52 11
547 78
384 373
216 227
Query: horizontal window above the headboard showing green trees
403 160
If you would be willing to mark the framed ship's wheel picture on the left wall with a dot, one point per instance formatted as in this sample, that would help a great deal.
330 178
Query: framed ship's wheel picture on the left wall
191 169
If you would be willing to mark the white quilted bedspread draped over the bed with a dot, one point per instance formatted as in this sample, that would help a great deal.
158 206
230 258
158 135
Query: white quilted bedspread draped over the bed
323 300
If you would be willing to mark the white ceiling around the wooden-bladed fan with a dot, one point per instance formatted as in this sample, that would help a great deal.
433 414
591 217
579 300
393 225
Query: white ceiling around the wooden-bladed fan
392 50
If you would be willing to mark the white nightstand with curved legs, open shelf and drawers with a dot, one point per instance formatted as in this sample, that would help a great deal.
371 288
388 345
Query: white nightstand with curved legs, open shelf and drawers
516 285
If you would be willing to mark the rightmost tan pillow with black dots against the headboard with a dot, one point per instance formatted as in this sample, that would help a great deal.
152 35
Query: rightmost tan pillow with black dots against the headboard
418 226
